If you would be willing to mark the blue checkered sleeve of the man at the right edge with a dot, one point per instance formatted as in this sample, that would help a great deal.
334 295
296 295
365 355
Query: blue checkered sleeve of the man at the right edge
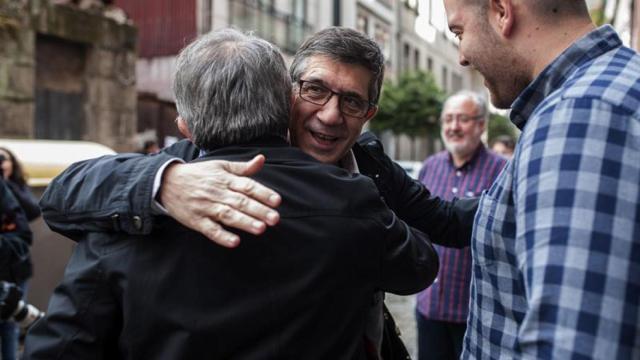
577 211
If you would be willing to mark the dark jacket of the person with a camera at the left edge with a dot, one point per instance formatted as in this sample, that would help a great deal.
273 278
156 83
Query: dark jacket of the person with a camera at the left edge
15 261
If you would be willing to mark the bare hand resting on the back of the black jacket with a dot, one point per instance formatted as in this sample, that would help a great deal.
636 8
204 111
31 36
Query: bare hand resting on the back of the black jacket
204 195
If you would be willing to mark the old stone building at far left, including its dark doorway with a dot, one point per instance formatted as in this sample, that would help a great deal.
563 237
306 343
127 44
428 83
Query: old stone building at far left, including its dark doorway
66 73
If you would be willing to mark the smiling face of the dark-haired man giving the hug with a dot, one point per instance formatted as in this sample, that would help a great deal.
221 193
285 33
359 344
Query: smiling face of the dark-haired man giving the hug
322 131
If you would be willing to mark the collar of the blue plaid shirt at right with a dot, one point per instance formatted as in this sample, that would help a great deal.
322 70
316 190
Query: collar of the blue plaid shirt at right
592 45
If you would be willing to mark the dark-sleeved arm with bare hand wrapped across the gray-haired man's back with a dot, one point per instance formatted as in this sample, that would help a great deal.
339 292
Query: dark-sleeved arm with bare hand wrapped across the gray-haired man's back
116 193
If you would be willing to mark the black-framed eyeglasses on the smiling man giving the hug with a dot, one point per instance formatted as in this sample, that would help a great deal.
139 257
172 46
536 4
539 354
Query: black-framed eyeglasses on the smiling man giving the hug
318 94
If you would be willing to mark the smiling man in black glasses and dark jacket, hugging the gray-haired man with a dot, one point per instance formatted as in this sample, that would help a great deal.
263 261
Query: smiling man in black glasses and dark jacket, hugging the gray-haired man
337 76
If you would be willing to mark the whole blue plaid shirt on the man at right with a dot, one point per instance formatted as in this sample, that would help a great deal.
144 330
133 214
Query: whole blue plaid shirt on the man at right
556 241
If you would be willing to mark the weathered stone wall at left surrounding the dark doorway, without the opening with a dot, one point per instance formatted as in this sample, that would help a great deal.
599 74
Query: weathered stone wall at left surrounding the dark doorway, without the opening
108 70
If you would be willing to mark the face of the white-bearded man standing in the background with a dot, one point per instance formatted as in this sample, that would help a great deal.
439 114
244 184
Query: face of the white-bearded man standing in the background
462 127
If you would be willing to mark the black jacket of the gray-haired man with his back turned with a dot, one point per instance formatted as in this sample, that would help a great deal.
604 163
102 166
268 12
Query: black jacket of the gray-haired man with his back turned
300 291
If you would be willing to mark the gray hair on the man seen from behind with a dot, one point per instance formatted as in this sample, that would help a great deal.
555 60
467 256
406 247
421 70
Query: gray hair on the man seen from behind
232 88
